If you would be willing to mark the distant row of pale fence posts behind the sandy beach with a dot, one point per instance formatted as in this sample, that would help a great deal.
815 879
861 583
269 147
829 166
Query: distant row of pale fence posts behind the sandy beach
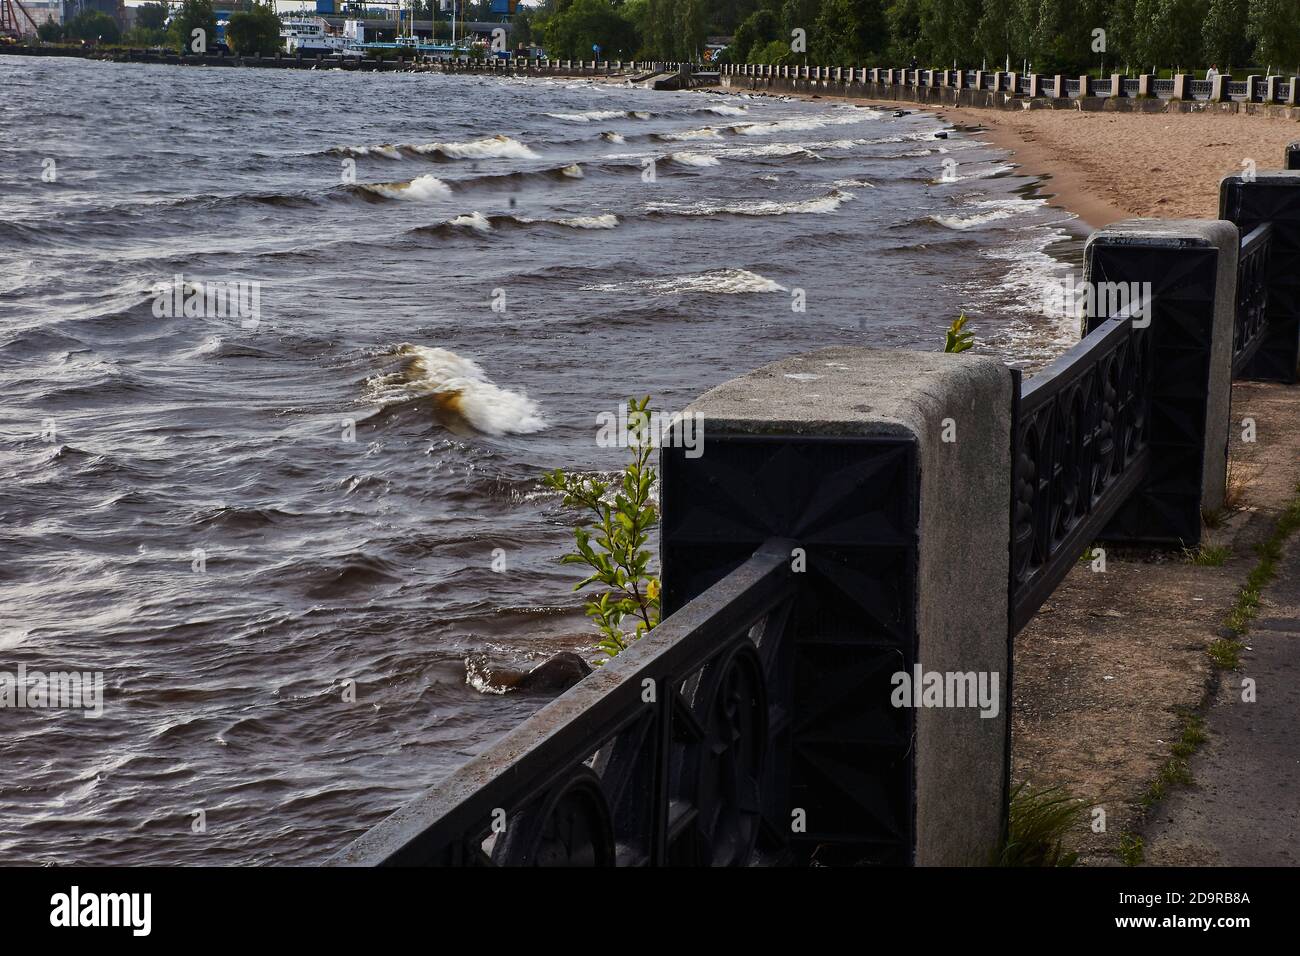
998 88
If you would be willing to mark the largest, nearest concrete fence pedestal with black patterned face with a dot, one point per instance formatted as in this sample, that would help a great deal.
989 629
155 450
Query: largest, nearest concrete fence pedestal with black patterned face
890 470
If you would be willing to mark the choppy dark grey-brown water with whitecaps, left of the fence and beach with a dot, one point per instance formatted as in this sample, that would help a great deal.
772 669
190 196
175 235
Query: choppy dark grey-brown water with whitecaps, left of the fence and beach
132 443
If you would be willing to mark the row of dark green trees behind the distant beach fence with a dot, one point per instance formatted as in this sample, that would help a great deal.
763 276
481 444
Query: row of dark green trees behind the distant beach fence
1048 36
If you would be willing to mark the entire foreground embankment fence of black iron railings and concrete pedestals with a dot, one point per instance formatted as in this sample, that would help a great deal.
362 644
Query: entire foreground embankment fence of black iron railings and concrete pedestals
869 517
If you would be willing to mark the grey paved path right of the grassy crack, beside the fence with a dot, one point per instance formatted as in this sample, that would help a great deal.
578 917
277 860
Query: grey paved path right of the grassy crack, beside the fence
1245 808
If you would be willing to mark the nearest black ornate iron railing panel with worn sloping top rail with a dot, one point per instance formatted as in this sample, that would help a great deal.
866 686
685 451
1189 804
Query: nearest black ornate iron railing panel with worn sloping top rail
670 755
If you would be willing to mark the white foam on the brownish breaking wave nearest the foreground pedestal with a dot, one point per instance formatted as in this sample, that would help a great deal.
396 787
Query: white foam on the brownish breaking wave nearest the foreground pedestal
460 387
